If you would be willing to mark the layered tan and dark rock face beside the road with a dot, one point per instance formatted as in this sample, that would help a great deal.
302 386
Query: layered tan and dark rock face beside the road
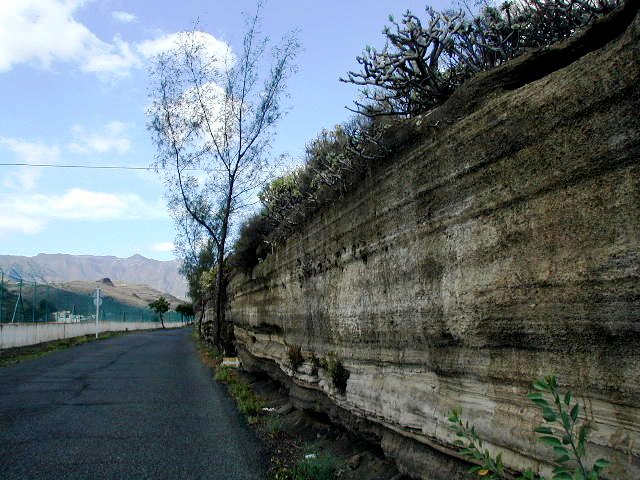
502 246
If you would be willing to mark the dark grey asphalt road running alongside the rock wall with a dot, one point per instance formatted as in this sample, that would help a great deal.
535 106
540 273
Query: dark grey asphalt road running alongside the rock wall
141 406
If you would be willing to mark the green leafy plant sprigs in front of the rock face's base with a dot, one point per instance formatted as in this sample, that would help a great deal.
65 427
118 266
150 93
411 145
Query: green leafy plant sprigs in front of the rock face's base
562 430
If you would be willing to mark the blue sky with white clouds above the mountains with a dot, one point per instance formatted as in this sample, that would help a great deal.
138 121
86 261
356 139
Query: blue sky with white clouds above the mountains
74 87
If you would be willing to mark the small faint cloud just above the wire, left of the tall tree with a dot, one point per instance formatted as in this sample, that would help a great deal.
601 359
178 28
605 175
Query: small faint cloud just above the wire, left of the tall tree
112 138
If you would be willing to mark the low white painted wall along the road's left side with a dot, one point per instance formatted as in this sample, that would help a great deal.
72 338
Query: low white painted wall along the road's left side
21 334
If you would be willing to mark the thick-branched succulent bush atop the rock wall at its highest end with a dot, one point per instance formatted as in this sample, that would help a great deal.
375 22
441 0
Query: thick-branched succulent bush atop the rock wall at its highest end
422 63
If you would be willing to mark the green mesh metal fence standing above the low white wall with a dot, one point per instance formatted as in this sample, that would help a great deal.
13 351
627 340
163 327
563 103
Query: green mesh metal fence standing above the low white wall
23 301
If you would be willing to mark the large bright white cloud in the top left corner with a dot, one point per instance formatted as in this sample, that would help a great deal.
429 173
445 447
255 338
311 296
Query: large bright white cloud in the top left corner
45 31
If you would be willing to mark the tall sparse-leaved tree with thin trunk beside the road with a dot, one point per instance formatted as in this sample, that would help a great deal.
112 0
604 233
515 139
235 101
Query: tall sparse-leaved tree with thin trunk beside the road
212 119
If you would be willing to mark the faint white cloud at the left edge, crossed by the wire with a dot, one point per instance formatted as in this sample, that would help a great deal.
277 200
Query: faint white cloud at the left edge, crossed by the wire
25 178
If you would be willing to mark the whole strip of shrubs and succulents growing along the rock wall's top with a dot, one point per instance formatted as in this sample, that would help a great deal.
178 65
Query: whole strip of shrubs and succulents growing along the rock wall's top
419 68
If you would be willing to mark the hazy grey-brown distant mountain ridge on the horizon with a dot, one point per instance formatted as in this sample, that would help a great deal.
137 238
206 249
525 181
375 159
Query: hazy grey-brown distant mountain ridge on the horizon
162 276
